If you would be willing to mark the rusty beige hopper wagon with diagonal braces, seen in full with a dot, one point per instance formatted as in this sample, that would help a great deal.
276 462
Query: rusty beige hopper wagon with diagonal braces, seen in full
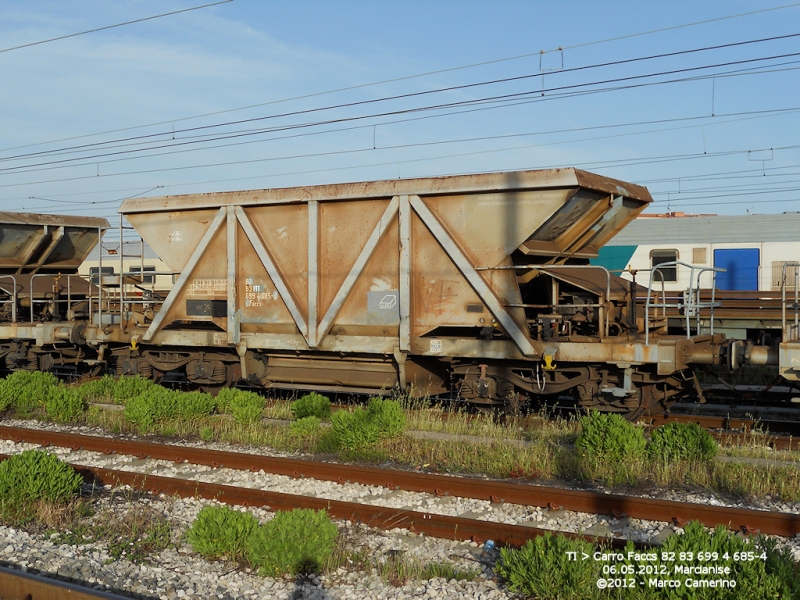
475 285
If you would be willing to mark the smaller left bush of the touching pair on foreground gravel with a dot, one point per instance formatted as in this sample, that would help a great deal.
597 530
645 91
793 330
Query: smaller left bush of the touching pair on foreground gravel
221 532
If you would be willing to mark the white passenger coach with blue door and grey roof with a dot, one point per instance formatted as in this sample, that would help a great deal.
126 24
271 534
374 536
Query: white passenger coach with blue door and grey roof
742 257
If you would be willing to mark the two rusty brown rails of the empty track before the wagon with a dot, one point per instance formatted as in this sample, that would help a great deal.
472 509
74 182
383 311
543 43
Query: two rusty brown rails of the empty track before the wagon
617 506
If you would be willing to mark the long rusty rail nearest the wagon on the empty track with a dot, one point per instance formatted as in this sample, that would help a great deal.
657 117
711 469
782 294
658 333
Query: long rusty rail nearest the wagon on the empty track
746 520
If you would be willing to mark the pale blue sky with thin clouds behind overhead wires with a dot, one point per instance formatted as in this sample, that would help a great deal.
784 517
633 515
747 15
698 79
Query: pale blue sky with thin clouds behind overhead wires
92 119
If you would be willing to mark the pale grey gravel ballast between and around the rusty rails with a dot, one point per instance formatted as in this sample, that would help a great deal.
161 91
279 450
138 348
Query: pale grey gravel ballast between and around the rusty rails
178 573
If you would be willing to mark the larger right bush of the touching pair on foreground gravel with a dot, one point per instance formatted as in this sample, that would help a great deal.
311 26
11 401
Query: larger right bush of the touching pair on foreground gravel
296 541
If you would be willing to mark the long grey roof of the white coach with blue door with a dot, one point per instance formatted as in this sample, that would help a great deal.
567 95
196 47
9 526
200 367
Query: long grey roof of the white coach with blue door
715 229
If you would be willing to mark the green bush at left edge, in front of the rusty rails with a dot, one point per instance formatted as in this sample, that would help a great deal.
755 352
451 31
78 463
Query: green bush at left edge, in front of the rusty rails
34 476
